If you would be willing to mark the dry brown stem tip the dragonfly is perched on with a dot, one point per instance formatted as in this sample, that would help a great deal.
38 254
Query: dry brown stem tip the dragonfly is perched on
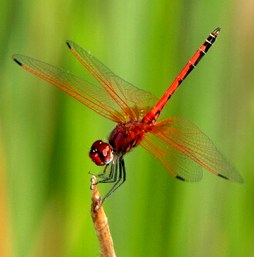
100 222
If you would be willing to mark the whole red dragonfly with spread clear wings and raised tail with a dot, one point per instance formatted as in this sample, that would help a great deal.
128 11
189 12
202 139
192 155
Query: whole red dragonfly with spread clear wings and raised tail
179 145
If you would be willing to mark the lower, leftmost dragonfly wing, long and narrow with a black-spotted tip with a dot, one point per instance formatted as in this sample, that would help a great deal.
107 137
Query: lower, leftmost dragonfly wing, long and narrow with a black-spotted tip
94 97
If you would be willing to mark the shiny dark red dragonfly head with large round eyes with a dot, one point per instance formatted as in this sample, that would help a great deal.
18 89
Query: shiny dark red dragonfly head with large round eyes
101 153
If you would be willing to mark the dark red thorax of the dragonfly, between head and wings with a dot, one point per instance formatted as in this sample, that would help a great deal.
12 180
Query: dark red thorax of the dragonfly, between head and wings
125 136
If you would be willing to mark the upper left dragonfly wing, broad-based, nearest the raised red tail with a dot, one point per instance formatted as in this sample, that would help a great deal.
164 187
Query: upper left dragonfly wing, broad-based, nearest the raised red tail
132 101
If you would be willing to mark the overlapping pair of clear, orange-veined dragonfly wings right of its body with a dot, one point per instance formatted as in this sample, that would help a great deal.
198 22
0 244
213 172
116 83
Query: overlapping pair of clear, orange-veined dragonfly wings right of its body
183 149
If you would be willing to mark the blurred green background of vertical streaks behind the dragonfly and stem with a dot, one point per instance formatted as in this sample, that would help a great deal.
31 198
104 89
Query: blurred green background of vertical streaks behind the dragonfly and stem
45 135
